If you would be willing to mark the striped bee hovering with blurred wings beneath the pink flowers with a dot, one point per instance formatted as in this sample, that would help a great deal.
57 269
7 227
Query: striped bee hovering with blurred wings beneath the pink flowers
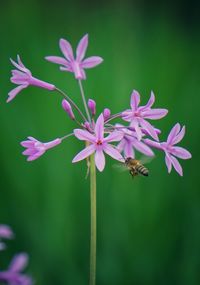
135 167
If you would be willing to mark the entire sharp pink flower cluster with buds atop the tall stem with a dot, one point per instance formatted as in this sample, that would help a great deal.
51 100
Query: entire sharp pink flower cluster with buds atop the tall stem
137 132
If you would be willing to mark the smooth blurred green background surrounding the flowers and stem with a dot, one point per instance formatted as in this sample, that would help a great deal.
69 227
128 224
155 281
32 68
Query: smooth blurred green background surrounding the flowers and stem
148 229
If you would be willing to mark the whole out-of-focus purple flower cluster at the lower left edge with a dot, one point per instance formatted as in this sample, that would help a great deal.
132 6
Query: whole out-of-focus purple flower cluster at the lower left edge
13 275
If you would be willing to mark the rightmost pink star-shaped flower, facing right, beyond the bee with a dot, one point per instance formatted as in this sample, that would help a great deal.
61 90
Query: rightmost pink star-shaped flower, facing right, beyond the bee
175 136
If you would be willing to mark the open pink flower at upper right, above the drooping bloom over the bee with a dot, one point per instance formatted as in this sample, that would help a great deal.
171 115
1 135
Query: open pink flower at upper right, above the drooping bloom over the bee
137 115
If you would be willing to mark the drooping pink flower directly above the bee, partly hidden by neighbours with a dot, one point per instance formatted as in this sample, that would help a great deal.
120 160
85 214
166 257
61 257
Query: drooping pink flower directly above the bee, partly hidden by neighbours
130 143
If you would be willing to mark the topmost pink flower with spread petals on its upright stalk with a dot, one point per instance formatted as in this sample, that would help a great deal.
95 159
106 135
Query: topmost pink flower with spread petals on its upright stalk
72 64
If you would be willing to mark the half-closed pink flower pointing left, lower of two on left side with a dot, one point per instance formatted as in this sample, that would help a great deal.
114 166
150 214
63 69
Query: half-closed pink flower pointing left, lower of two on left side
36 148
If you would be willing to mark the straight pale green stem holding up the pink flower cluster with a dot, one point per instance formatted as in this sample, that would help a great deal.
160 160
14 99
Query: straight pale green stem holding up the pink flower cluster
93 221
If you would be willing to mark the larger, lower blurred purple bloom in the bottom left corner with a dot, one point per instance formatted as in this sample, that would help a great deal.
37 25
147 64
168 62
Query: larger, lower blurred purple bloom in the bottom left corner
13 275
